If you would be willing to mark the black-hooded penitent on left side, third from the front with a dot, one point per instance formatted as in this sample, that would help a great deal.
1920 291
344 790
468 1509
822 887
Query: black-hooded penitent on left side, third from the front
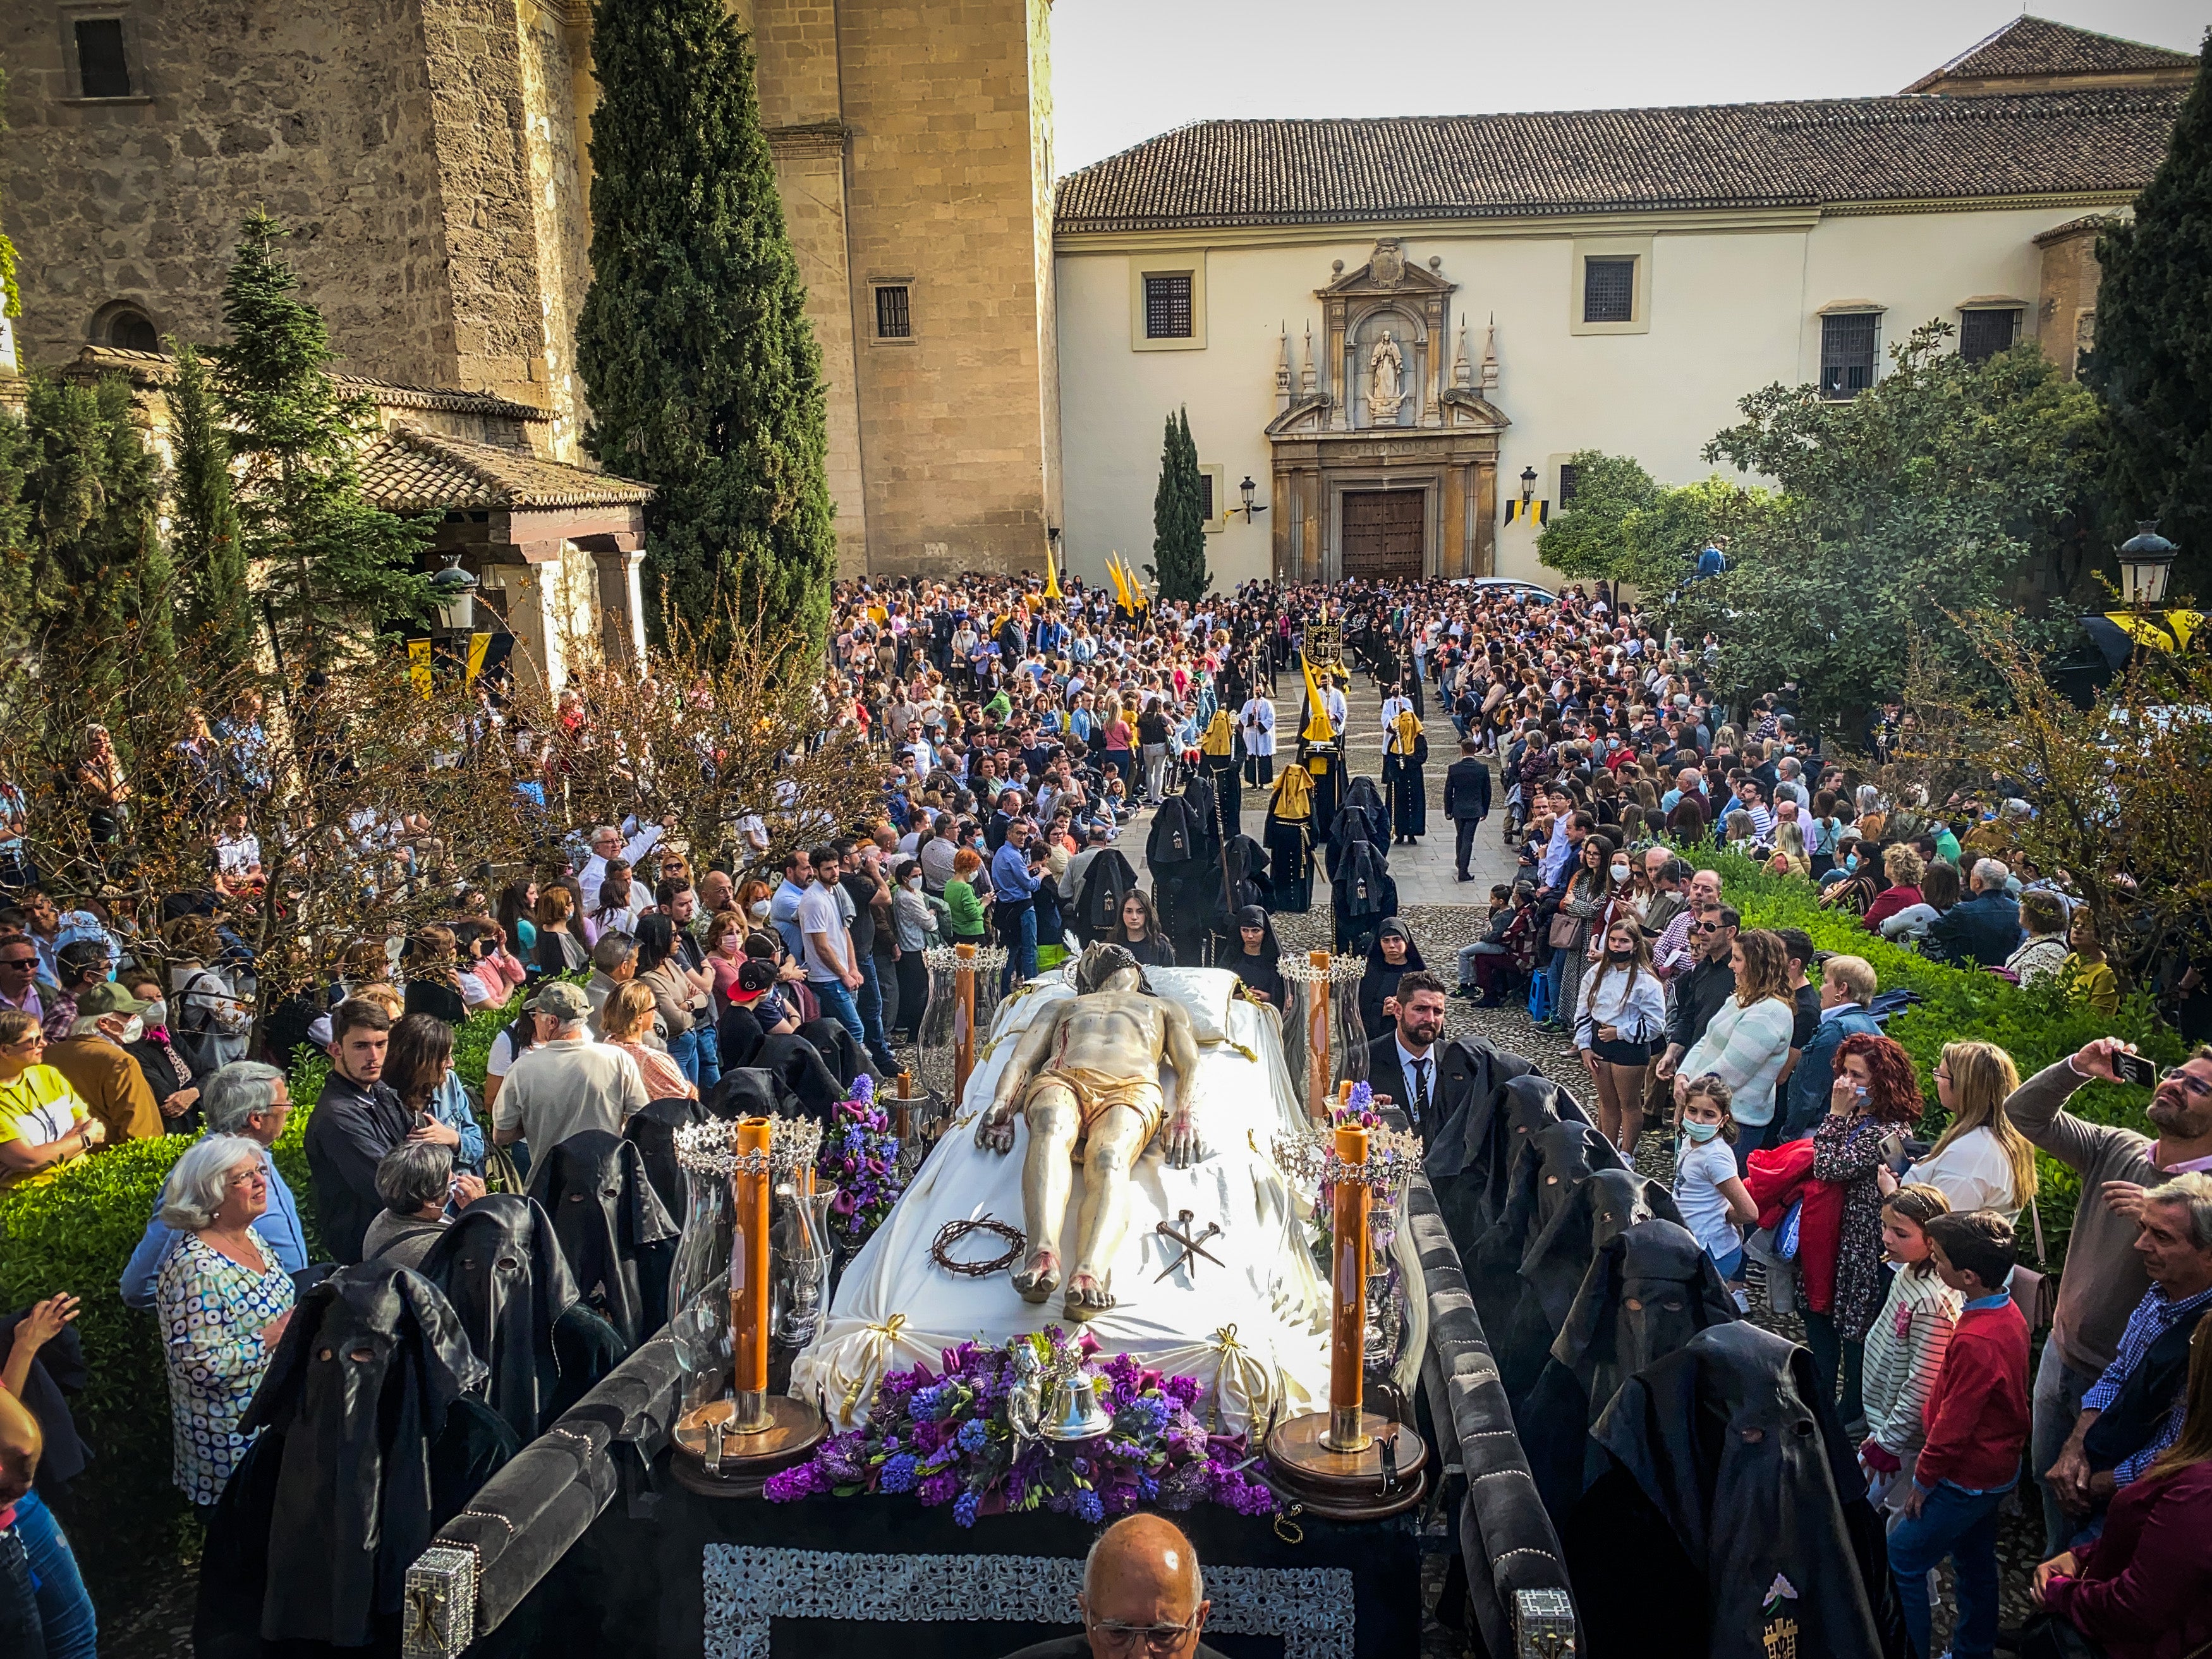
612 1227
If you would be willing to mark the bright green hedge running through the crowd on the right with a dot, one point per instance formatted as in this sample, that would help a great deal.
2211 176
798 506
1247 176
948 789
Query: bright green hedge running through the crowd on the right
2034 1025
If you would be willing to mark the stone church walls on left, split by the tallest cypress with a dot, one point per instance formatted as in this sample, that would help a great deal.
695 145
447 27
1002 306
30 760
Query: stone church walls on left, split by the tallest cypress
430 158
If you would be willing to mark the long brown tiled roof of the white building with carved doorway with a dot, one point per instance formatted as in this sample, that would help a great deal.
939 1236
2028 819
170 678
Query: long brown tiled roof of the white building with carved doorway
1709 156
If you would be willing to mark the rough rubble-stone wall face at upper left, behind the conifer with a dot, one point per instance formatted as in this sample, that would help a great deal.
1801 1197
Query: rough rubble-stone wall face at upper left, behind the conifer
253 103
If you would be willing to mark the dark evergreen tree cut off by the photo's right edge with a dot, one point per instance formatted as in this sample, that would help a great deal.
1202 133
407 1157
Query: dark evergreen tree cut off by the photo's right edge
2153 357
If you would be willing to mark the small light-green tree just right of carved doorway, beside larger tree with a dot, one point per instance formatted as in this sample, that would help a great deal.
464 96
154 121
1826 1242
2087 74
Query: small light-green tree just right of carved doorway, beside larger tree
1629 528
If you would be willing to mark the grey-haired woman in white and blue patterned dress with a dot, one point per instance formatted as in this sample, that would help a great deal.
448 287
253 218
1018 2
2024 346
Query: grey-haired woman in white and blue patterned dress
222 1302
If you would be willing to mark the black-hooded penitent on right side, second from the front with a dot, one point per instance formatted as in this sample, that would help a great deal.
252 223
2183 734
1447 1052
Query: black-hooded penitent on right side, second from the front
1647 1293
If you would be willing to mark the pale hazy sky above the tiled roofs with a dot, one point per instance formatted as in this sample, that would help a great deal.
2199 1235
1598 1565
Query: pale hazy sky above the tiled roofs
1127 70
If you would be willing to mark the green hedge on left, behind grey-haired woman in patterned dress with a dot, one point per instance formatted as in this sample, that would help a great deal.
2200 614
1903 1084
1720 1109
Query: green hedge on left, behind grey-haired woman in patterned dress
76 1231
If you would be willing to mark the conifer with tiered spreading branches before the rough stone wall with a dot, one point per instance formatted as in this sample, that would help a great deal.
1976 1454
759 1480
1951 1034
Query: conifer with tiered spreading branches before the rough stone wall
328 563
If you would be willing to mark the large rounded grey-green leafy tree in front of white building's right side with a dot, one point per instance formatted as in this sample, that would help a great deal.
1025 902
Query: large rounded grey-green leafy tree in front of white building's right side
1943 490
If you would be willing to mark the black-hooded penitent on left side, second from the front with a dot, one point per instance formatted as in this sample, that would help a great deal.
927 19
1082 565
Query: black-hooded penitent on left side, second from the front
510 1282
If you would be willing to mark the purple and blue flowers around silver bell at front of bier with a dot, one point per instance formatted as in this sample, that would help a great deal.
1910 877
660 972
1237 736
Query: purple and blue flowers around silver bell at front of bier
946 1437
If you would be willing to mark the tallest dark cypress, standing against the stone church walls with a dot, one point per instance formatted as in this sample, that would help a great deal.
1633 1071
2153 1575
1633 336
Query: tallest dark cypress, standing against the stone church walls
693 342
